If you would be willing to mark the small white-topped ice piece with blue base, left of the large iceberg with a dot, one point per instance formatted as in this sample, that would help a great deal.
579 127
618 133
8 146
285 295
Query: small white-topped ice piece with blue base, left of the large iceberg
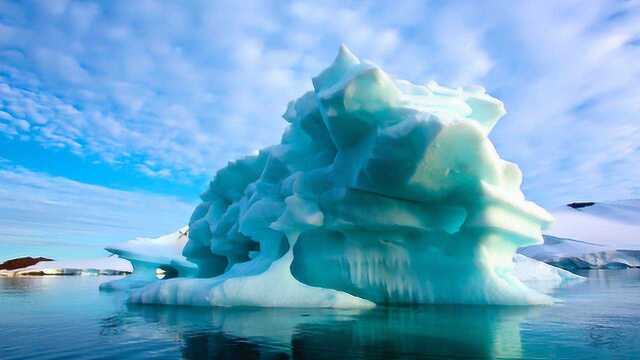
147 255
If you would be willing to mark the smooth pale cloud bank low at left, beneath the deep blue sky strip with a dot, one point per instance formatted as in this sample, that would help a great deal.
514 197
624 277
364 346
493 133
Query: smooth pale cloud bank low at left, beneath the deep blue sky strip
36 208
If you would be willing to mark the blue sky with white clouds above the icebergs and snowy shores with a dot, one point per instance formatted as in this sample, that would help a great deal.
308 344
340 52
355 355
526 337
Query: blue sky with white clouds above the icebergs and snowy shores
114 115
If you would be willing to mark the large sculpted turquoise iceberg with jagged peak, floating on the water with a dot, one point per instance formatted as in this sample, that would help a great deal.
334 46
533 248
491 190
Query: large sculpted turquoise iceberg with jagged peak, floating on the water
380 192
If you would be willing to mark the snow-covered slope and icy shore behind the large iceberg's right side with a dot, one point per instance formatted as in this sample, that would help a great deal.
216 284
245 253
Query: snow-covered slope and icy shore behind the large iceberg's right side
592 235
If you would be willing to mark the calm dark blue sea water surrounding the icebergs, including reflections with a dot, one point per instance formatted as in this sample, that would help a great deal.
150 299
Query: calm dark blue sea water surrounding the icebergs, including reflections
68 318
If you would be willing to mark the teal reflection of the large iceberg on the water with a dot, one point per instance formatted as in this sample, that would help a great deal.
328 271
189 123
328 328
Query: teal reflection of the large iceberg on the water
385 333
